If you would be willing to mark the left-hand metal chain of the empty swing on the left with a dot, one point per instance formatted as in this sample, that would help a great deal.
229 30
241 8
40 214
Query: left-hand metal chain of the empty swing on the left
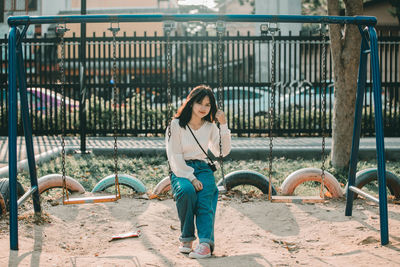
61 30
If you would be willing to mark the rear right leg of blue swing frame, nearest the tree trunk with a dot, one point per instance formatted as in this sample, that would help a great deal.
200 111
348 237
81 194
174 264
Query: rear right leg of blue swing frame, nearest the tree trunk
362 77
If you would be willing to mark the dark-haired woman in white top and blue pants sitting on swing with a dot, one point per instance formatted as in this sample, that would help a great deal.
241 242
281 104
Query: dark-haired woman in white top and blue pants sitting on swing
192 179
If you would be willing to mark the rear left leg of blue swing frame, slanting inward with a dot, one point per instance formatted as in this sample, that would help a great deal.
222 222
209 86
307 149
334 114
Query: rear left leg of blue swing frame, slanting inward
27 125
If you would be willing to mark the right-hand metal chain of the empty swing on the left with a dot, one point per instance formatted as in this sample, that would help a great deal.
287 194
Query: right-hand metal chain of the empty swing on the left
115 115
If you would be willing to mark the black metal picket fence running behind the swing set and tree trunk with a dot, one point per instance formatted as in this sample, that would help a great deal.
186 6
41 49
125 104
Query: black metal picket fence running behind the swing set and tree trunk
141 77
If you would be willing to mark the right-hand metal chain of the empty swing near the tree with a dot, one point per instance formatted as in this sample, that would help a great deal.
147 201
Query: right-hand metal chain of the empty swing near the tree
323 88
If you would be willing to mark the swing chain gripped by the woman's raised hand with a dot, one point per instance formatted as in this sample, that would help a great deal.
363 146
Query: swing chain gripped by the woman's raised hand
220 100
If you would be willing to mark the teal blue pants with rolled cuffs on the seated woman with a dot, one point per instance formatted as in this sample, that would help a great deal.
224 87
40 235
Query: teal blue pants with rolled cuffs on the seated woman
199 205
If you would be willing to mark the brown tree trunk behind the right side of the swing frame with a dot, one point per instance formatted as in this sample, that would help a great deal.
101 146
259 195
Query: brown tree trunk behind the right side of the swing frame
345 48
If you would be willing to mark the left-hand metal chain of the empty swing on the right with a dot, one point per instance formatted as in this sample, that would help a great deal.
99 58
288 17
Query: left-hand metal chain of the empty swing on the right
271 113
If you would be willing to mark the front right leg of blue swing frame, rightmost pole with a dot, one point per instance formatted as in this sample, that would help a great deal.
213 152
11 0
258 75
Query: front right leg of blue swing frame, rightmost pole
380 147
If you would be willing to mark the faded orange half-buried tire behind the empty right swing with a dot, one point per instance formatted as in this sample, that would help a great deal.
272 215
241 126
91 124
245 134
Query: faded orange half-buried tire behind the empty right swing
311 174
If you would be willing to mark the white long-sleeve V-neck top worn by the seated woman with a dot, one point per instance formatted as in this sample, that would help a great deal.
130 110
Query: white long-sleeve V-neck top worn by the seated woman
182 145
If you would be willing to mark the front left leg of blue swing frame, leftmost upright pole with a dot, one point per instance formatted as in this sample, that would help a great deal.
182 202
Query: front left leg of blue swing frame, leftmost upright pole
12 137
